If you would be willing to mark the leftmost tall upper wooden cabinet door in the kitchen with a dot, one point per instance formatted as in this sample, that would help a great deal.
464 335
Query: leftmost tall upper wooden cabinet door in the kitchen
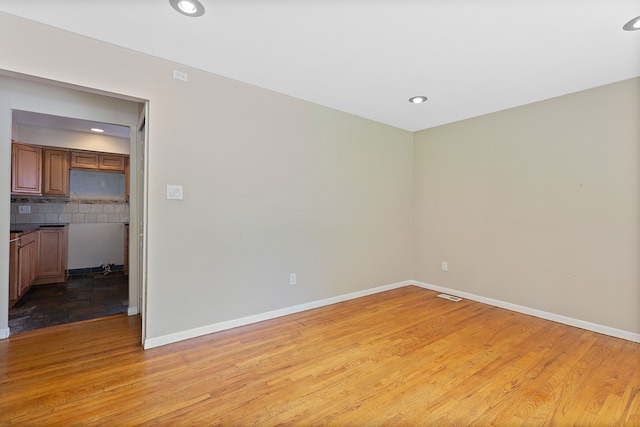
26 169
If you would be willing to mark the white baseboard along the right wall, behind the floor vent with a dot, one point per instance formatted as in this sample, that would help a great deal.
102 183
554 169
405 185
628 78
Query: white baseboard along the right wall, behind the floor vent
594 327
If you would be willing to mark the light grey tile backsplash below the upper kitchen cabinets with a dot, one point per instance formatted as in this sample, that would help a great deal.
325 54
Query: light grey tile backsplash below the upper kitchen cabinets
65 210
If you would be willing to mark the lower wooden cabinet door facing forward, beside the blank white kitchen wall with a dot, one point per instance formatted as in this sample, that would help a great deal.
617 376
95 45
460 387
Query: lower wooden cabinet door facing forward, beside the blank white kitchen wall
52 255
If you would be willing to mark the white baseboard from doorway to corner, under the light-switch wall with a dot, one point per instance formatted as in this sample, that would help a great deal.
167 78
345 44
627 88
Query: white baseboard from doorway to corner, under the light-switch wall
217 327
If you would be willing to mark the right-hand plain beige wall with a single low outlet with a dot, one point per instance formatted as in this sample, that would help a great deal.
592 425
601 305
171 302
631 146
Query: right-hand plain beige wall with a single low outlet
537 206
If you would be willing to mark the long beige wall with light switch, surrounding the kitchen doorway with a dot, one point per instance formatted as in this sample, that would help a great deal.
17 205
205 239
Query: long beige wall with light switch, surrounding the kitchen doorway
272 185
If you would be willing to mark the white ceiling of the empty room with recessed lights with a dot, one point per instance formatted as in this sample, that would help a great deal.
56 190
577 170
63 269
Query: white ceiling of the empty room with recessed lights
367 57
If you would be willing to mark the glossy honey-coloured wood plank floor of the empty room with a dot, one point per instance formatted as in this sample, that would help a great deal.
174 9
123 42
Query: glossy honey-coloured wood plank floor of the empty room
403 357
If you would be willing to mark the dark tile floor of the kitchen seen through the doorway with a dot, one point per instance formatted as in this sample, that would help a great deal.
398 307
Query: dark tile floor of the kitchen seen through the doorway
71 301
